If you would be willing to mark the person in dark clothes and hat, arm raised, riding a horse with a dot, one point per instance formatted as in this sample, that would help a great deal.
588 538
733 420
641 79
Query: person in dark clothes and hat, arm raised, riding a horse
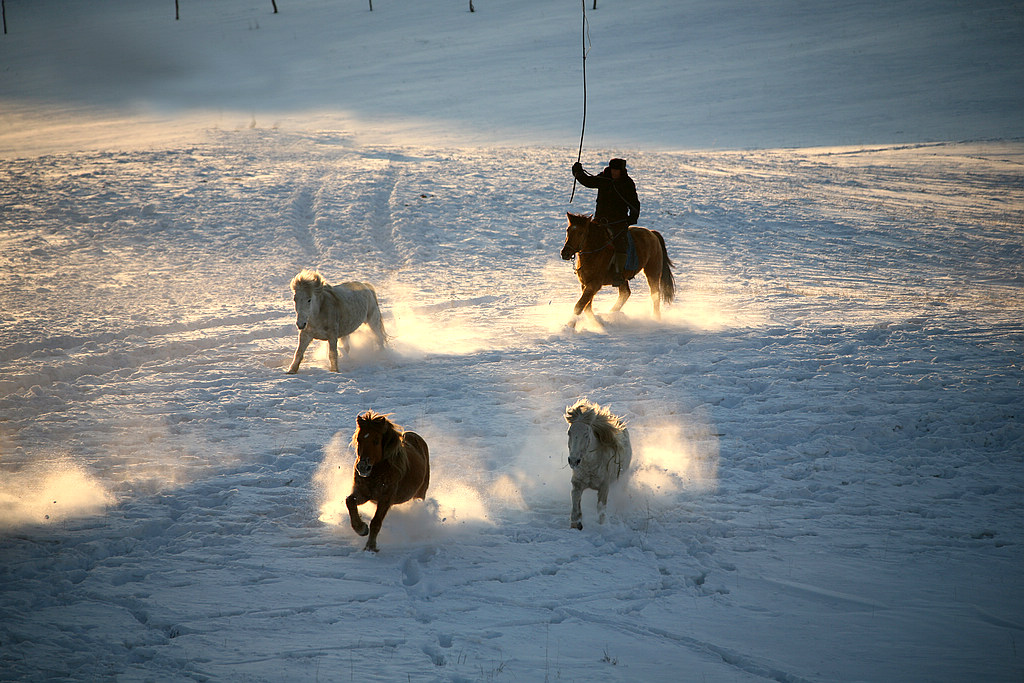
618 208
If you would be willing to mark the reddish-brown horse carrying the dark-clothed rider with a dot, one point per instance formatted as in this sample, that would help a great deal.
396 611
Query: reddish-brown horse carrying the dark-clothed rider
591 244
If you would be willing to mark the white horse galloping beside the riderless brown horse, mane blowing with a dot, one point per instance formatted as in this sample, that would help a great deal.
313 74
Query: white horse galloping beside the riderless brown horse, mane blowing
600 454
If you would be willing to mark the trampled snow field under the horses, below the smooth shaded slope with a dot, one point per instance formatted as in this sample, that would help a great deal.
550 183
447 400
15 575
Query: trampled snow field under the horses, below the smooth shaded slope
827 426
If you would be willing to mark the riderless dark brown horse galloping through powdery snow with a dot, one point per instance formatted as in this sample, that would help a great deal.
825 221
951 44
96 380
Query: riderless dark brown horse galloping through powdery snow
393 466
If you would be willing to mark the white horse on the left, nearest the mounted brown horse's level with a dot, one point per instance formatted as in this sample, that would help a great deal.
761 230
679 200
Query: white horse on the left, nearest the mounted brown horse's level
330 313
